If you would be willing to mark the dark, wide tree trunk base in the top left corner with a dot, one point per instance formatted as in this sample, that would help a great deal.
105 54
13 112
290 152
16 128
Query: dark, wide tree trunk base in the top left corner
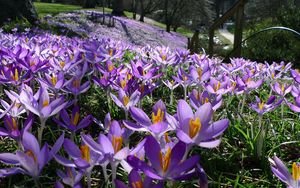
12 9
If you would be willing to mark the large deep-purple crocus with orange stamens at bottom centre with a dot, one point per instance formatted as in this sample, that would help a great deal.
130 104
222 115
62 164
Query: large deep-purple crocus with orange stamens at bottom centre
165 165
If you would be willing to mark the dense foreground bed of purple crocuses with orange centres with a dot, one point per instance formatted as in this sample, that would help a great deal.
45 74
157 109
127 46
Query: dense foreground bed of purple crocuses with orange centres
44 76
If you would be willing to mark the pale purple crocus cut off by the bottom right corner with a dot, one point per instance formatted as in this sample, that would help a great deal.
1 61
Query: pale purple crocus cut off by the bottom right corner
282 172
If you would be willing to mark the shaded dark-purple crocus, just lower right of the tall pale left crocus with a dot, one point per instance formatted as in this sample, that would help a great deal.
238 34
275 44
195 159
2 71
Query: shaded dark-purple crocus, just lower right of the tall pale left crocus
72 123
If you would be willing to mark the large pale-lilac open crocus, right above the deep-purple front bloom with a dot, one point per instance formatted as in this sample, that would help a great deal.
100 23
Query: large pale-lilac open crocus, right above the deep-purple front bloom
197 128
